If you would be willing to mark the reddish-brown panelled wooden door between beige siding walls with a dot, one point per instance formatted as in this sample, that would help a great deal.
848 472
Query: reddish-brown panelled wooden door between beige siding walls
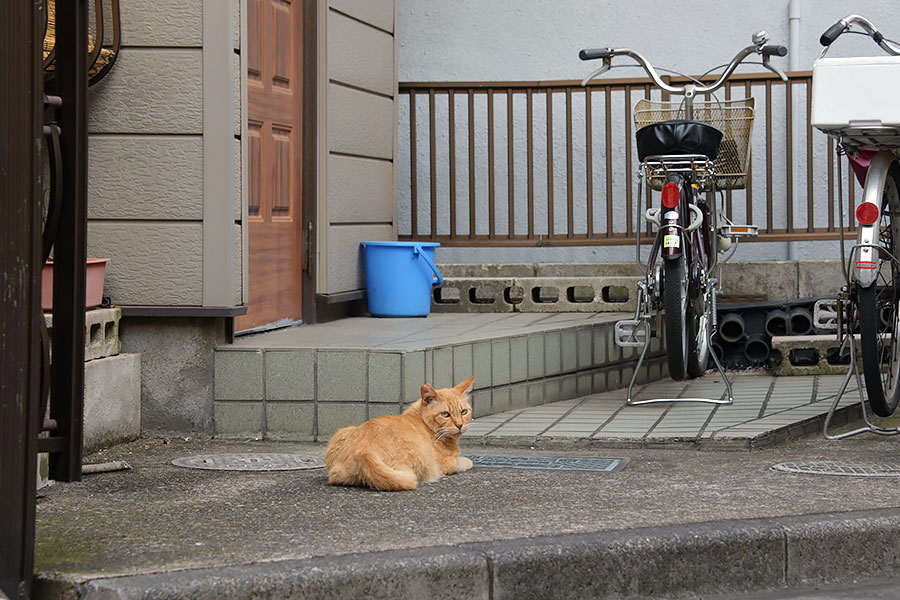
275 140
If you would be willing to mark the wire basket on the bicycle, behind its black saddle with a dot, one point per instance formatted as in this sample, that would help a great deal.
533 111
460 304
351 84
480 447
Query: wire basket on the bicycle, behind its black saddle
734 118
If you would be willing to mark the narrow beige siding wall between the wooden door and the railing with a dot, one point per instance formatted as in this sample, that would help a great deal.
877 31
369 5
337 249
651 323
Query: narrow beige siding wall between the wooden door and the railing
357 117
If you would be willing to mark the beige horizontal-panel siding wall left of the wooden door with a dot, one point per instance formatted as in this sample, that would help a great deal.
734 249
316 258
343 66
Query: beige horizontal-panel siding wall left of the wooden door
164 180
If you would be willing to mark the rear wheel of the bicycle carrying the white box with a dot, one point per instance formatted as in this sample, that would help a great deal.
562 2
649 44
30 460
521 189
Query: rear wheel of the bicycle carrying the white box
879 321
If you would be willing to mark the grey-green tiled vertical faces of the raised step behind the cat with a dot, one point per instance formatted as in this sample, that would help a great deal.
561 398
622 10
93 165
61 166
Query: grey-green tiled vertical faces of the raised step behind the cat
307 394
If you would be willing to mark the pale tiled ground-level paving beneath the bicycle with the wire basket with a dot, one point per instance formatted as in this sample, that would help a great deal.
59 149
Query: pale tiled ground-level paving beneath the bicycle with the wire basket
766 410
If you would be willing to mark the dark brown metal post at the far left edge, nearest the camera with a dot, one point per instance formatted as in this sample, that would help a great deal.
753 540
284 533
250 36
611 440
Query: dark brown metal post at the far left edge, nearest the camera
21 114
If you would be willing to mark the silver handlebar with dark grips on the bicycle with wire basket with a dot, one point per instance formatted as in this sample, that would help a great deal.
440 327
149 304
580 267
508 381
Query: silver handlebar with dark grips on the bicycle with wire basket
759 47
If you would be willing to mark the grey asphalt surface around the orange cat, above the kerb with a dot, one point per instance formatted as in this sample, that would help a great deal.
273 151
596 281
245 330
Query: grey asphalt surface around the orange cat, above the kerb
158 517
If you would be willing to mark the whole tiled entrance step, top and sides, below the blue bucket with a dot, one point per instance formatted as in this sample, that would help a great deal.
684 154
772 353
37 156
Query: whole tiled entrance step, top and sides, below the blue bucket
305 383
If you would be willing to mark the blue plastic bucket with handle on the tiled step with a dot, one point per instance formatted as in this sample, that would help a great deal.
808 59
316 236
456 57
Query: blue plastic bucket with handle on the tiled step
399 278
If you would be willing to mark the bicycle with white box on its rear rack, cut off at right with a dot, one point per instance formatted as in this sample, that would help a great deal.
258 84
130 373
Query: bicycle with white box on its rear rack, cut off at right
854 102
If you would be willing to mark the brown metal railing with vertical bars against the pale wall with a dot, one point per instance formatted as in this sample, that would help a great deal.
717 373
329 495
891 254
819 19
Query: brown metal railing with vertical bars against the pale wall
481 164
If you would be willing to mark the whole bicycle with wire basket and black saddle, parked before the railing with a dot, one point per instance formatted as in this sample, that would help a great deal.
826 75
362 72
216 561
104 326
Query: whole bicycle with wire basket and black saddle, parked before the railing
686 149
